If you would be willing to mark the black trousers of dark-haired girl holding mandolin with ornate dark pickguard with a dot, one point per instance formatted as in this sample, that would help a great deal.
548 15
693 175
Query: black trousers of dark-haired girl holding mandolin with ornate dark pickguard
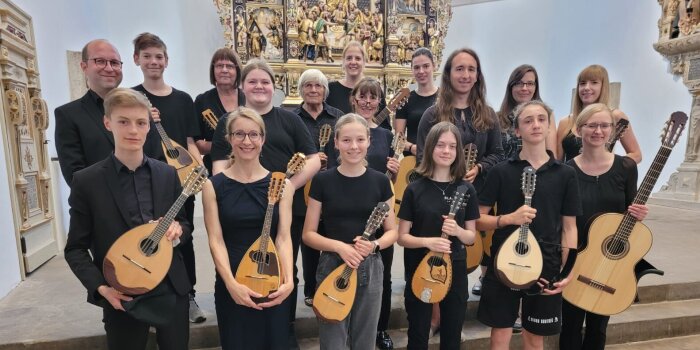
453 309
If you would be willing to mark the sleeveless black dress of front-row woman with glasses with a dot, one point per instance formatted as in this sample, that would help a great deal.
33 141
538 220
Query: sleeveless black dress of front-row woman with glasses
242 208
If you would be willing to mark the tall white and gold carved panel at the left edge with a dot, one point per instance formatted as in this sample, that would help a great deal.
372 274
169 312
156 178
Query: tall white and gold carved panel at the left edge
23 122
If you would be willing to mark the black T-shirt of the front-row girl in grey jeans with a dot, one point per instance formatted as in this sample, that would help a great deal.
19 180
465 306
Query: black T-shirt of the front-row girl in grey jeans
347 202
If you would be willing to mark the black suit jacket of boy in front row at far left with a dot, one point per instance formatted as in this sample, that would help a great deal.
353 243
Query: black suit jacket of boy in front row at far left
98 219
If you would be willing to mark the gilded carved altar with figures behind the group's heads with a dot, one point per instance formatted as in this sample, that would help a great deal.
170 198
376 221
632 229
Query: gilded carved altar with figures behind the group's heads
294 35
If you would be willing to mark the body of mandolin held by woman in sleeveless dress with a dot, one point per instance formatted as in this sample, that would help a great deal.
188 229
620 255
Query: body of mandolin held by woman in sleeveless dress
260 274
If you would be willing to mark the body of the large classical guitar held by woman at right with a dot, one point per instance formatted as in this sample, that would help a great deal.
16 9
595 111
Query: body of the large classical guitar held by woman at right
605 283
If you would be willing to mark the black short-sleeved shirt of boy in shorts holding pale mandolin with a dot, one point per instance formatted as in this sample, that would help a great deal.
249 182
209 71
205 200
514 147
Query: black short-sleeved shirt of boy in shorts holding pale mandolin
556 195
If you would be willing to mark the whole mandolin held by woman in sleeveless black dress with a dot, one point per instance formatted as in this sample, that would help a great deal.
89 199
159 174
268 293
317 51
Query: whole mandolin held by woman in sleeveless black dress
260 269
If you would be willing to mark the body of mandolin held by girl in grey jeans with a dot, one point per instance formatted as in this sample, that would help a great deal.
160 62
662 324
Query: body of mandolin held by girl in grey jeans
335 295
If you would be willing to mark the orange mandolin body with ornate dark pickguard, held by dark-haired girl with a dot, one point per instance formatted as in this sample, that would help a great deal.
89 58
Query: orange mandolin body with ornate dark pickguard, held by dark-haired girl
432 278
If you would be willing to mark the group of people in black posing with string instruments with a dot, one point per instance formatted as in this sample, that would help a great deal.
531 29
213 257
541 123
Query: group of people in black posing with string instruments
111 156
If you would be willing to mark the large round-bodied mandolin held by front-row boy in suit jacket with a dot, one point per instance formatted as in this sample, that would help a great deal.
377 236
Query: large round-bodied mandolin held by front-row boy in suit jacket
139 260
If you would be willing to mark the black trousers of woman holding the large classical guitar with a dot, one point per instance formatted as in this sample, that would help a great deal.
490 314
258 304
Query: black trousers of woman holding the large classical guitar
571 336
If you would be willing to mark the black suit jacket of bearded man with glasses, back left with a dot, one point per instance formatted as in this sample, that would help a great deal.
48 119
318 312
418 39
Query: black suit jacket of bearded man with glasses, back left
82 139
